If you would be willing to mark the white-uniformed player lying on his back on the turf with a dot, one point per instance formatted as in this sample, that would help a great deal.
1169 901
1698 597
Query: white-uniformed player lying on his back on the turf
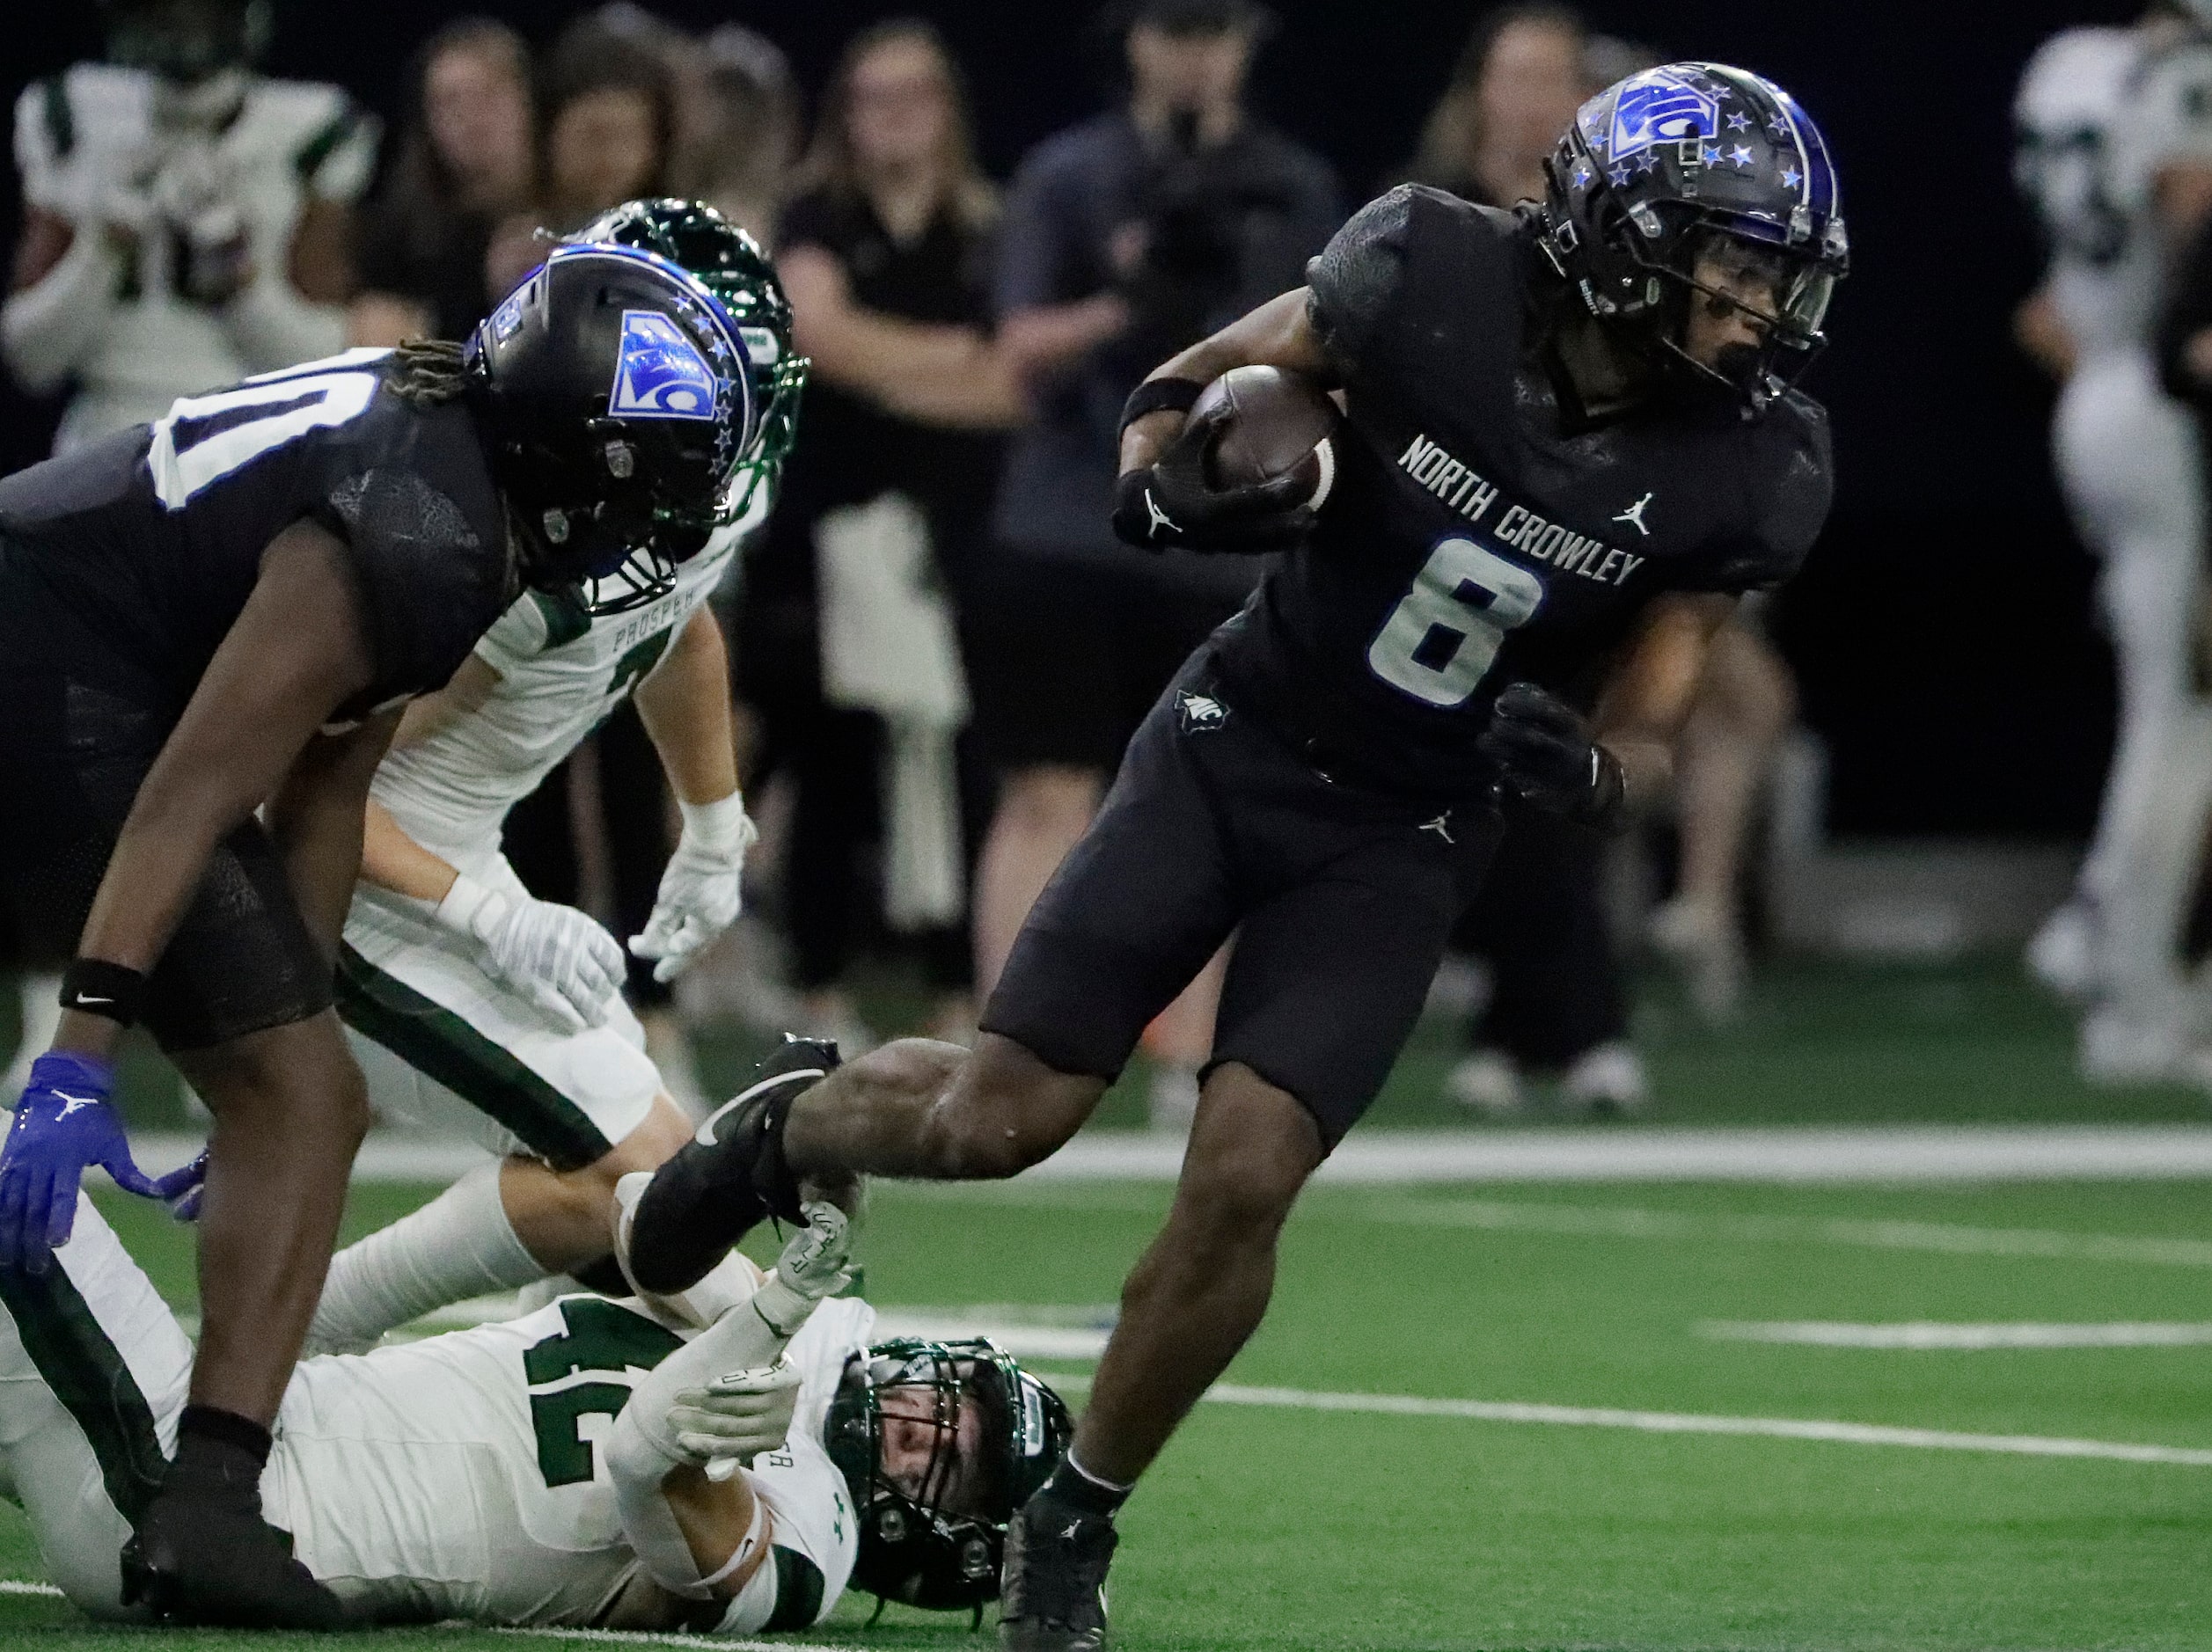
563 1470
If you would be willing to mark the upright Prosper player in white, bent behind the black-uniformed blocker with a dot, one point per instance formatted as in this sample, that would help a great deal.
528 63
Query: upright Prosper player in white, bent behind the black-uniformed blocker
481 1010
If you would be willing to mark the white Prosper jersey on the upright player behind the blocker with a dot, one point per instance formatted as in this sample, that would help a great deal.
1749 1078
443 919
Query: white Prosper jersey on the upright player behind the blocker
561 676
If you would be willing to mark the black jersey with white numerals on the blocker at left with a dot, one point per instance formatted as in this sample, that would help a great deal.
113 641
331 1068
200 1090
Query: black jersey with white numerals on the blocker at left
154 536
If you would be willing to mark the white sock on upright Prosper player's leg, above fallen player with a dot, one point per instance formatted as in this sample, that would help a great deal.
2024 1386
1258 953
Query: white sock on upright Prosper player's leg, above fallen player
457 1246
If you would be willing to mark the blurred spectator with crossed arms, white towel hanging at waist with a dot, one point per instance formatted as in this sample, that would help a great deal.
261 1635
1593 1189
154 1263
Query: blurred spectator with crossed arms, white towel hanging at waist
846 636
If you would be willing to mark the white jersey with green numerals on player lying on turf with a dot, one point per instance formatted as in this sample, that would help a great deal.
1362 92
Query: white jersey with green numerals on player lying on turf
461 1478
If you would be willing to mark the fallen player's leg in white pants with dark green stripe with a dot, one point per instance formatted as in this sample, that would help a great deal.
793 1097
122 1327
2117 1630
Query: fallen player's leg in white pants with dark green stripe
92 1386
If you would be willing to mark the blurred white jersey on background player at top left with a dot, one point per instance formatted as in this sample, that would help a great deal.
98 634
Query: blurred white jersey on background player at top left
87 136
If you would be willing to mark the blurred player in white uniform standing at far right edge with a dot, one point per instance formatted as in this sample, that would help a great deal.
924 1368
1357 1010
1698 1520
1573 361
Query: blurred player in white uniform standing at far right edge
2116 154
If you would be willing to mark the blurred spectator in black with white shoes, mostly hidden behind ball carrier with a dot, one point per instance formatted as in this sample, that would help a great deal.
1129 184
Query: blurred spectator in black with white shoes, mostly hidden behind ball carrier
1558 996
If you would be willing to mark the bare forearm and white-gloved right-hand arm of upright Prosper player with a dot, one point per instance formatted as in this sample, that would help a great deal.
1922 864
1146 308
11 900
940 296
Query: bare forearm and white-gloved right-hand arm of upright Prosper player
685 707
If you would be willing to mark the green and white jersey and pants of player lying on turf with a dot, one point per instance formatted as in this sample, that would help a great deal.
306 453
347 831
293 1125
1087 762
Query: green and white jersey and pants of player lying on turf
452 1478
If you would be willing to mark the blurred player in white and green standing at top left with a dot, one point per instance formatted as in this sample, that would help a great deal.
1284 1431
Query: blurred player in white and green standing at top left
185 224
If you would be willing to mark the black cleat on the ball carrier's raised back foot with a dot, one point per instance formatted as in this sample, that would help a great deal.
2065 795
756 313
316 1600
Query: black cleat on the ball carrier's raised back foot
727 1180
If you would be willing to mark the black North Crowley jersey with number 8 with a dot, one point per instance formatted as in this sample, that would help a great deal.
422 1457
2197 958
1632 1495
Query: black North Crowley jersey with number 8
1474 534
